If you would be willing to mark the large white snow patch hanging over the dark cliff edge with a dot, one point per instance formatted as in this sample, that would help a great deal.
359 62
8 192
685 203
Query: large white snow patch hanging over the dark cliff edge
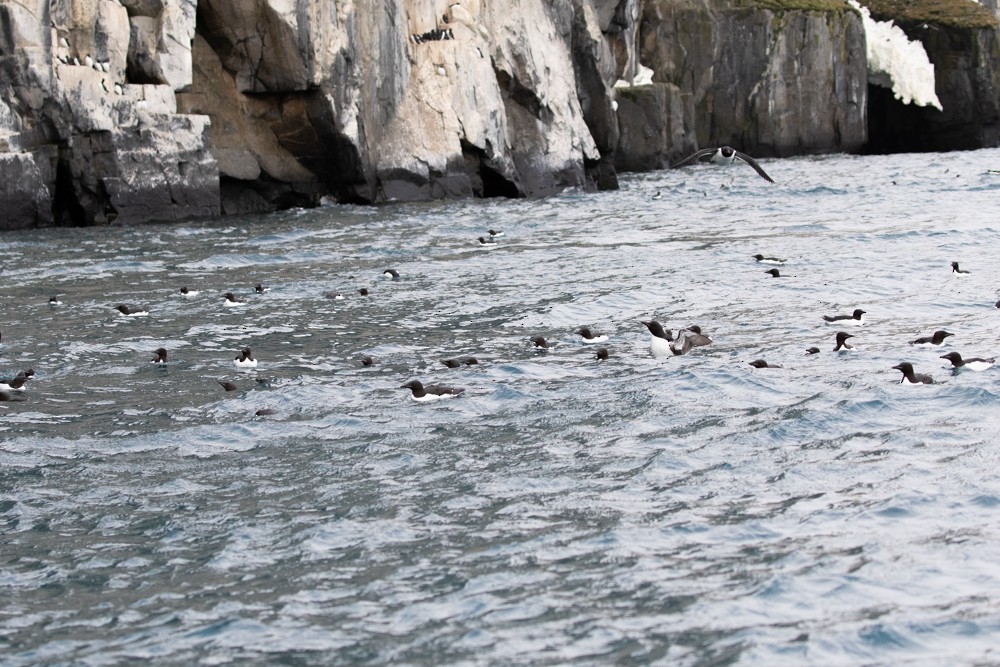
897 63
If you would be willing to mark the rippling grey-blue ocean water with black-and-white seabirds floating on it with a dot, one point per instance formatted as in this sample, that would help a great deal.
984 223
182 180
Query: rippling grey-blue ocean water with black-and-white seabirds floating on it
690 510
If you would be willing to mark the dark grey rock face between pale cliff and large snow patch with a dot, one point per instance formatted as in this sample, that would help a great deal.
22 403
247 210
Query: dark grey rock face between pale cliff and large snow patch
772 84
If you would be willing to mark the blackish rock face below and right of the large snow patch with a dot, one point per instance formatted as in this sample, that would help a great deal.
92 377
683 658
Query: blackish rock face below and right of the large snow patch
967 82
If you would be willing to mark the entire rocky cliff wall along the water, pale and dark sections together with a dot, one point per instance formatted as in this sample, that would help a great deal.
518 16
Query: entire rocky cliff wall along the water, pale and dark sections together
135 110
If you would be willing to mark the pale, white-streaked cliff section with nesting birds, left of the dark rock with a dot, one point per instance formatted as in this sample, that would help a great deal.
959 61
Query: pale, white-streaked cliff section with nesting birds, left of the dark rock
133 110
